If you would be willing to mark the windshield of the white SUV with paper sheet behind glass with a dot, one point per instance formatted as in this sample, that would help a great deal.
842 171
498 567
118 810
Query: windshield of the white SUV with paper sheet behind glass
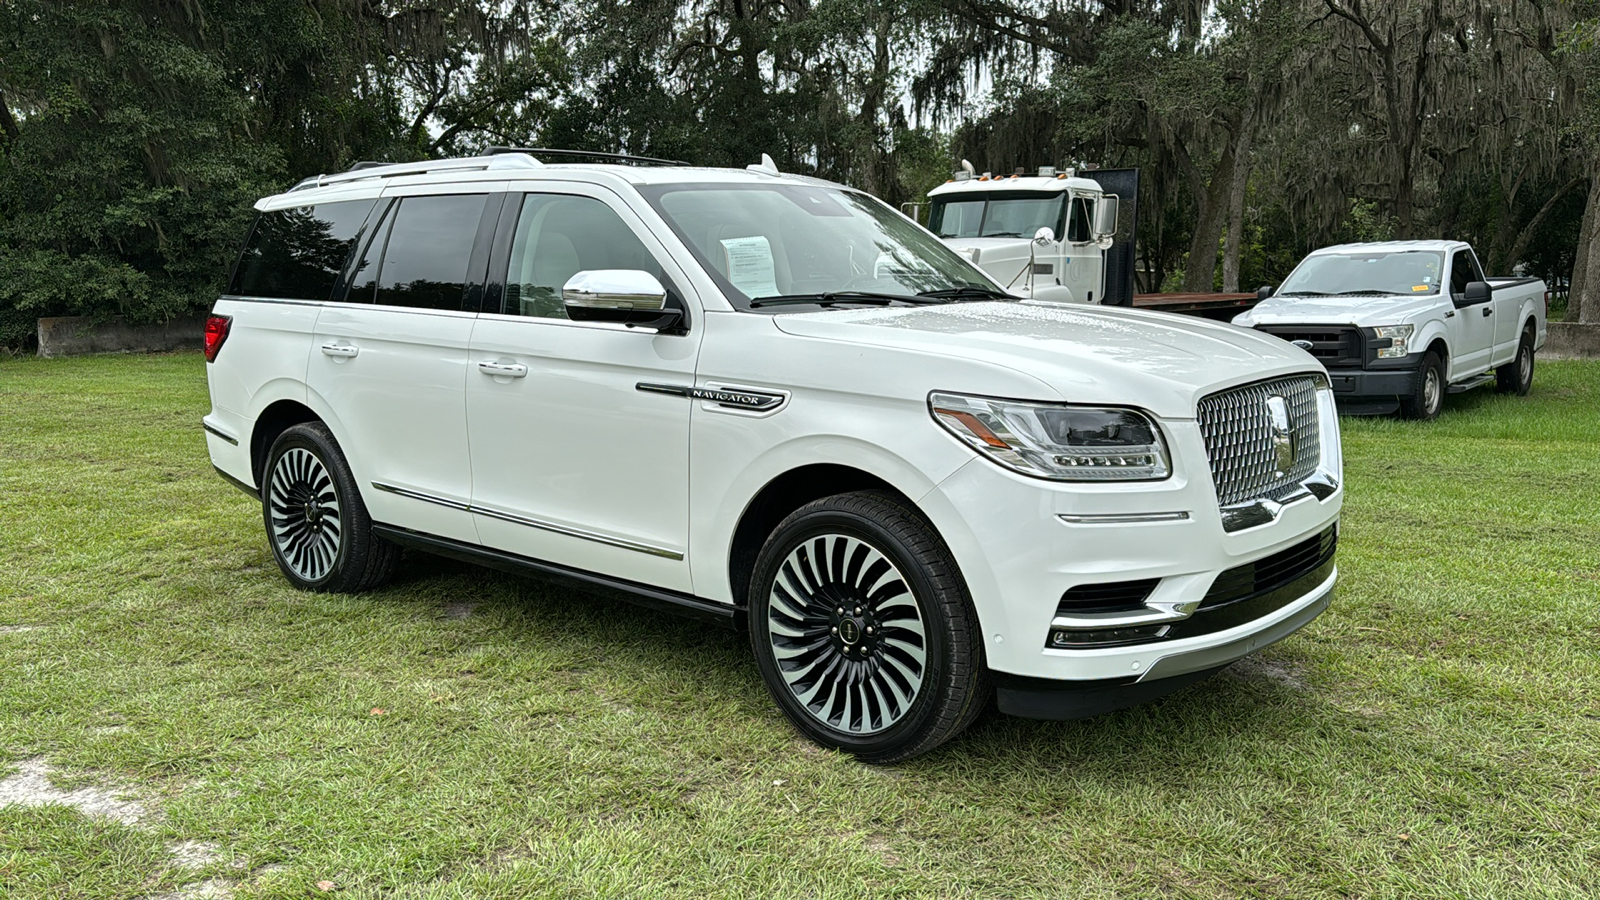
802 241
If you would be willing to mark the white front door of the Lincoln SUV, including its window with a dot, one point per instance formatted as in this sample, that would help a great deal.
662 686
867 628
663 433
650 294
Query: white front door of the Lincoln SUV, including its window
572 460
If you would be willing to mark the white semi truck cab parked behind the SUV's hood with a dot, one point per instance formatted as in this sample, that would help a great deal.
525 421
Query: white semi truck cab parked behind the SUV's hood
1042 236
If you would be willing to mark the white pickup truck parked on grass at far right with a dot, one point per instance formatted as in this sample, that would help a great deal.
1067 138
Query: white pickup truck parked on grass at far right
1401 324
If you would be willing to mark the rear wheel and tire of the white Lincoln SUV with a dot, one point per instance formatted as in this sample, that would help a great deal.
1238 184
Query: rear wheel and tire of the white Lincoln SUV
316 521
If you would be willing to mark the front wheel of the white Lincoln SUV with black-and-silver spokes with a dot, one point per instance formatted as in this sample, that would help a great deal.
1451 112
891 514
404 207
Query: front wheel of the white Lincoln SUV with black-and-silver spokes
857 681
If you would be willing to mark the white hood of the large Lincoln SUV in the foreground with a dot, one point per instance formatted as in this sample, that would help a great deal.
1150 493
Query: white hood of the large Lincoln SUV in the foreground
1089 355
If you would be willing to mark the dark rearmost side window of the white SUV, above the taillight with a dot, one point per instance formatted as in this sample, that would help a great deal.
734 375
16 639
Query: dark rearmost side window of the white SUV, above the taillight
298 254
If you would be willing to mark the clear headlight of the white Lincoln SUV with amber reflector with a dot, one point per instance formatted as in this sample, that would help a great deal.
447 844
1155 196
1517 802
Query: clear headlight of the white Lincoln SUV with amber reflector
1057 441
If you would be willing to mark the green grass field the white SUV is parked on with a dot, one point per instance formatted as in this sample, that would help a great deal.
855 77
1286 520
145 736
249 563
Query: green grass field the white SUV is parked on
470 734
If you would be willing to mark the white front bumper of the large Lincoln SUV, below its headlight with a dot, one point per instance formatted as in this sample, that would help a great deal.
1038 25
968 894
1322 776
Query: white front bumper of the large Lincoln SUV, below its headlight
1023 544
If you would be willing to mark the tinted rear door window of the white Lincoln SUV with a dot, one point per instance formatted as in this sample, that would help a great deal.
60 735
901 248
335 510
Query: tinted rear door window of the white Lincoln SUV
428 251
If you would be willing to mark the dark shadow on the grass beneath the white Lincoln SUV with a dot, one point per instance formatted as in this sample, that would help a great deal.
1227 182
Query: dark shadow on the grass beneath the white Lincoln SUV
1228 717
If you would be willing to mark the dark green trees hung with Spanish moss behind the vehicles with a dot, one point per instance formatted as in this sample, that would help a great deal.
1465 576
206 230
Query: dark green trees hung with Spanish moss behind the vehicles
135 135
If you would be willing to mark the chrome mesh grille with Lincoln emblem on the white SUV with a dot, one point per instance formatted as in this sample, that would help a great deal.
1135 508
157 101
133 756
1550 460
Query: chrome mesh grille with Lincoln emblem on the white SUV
1238 433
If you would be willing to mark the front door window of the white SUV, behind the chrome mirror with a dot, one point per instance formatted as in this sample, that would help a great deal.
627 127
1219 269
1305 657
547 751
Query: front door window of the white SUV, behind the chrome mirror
559 236
